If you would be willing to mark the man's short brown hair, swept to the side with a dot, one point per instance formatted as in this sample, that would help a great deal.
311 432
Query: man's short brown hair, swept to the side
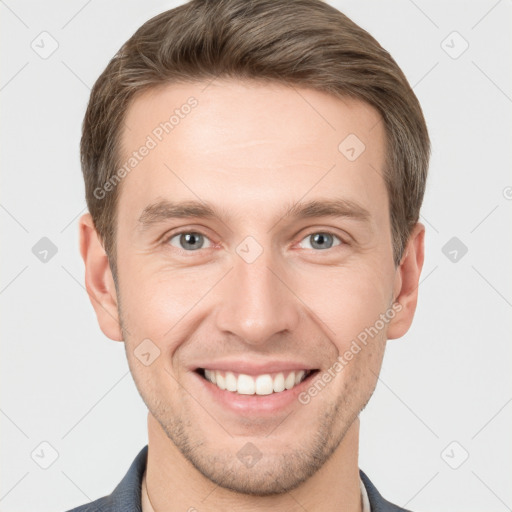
302 42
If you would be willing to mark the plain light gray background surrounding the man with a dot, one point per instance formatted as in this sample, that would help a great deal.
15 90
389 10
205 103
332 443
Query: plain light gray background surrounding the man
449 379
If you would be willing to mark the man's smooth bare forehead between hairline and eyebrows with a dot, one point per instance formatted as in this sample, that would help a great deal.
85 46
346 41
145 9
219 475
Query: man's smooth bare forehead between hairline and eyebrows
249 143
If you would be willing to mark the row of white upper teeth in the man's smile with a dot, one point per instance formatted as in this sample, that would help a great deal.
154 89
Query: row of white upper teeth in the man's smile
259 385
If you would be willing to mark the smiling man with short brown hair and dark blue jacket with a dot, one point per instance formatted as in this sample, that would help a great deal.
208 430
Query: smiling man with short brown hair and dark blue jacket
280 139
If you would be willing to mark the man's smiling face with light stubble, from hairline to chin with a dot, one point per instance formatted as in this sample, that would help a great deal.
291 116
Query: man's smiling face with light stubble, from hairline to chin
254 290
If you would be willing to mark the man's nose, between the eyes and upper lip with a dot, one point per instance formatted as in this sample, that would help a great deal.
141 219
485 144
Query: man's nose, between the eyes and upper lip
256 302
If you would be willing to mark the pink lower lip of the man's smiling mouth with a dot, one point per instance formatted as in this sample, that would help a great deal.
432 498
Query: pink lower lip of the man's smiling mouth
255 404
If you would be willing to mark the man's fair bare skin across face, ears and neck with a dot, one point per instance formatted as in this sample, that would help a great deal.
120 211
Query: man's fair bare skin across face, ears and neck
252 149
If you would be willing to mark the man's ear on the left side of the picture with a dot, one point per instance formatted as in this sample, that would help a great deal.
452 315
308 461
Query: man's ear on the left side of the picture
99 281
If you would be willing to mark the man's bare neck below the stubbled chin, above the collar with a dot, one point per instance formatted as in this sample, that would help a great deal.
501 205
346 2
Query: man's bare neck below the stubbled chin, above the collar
173 483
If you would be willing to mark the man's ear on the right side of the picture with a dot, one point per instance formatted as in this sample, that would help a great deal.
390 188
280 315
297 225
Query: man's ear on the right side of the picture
407 277
